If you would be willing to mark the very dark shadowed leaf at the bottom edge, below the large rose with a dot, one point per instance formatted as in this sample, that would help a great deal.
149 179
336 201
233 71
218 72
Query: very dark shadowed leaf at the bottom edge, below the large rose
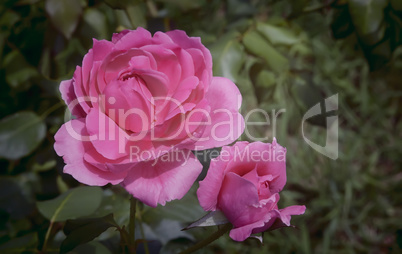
81 231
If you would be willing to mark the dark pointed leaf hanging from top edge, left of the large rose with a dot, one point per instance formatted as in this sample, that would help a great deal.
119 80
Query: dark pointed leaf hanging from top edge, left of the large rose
64 15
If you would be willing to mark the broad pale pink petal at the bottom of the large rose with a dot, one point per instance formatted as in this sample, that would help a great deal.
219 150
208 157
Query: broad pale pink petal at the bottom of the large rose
168 177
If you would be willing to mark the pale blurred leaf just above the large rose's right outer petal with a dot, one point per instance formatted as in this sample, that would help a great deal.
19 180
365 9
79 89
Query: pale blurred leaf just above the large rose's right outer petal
228 56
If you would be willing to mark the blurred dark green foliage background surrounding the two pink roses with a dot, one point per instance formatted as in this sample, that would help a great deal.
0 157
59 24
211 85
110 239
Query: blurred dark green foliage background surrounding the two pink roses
282 55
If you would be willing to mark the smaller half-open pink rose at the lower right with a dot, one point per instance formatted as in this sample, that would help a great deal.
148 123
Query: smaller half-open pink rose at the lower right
244 183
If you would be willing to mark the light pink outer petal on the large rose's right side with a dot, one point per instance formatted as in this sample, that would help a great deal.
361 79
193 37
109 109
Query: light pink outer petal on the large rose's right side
227 124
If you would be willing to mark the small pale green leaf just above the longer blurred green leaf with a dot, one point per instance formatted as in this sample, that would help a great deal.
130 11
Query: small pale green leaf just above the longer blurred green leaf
277 35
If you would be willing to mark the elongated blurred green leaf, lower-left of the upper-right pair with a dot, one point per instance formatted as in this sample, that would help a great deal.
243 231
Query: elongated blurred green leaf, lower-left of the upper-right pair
258 46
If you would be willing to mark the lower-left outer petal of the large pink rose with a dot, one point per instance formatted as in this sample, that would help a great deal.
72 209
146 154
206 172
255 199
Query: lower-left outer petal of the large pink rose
70 143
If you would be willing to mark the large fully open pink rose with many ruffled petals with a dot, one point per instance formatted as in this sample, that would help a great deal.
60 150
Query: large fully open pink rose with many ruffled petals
141 103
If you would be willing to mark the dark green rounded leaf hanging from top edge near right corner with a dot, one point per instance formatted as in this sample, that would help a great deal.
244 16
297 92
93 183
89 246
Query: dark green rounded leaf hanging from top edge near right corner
367 15
